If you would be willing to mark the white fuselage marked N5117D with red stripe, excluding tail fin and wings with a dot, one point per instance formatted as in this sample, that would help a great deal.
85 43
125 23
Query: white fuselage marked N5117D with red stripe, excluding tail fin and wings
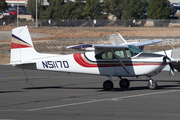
142 64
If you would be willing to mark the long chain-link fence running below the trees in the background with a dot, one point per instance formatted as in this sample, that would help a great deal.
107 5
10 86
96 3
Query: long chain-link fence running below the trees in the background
94 23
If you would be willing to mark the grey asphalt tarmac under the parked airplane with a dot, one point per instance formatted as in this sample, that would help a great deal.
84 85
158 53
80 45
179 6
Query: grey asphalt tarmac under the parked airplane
63 96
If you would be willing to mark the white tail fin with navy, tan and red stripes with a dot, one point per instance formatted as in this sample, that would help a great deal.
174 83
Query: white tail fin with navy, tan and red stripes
22 48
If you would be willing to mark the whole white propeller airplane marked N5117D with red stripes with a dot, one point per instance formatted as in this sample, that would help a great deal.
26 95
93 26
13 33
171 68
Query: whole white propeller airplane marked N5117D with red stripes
125 60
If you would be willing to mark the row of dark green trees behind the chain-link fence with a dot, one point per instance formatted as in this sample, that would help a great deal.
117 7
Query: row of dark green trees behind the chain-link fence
94 9
